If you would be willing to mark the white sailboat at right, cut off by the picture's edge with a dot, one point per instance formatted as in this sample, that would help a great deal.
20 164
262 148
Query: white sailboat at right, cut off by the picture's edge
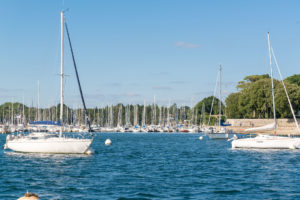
270 141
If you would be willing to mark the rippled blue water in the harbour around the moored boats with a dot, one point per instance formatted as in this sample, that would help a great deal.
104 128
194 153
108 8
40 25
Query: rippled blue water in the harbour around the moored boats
153 166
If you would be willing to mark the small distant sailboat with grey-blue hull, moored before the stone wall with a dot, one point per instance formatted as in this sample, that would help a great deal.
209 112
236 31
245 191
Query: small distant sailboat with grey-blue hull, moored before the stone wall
220 132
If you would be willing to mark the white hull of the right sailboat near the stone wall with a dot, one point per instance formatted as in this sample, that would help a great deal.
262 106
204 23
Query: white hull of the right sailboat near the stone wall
267 142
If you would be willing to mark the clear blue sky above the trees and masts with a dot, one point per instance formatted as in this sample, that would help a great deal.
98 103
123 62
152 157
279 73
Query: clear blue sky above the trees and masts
134 51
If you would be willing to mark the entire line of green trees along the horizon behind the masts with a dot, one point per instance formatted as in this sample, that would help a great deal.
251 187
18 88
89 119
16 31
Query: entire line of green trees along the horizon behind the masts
253 100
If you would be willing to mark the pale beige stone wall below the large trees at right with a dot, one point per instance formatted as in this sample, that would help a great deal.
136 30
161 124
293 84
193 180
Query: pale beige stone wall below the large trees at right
284 126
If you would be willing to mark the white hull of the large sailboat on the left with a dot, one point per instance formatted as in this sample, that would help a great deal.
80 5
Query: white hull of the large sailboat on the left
50 145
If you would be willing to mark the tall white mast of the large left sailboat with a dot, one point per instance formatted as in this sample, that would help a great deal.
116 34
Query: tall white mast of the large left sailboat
61 70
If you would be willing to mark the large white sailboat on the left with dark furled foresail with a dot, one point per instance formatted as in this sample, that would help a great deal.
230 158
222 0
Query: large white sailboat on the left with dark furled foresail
46 142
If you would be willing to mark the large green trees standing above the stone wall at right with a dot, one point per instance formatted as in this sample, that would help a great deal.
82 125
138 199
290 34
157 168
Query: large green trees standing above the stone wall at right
254 98
